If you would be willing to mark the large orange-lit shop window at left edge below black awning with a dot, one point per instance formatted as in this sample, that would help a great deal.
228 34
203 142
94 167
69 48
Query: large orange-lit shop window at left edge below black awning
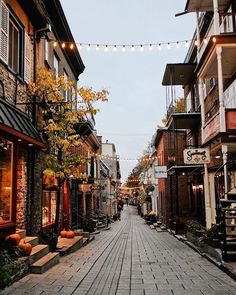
6 154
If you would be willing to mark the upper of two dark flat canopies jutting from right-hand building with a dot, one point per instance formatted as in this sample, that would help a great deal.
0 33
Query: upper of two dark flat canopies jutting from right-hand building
179 74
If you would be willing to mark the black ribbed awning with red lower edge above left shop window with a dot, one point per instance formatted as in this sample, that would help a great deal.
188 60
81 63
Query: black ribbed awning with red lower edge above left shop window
18 124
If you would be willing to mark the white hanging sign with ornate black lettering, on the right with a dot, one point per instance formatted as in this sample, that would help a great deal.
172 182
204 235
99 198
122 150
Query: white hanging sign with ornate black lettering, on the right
196 156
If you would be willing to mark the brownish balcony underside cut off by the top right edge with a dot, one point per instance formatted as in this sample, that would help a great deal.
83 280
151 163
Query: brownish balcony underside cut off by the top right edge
205 5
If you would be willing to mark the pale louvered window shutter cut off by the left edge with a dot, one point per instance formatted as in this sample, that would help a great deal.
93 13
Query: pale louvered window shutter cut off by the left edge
4 13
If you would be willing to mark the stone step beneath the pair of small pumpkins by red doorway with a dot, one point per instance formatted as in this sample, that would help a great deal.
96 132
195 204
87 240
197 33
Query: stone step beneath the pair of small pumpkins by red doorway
66 246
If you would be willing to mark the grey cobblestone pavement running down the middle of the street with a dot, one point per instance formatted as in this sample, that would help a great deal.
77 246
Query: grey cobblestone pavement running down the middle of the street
130 259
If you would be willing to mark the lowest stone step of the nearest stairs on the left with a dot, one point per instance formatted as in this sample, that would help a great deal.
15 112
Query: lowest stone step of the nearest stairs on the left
44 263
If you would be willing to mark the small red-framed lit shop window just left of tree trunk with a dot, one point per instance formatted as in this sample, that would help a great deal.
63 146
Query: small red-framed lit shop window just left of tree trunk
49 207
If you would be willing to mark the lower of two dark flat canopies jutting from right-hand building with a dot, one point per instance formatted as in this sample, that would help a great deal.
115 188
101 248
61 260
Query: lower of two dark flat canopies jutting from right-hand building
184 120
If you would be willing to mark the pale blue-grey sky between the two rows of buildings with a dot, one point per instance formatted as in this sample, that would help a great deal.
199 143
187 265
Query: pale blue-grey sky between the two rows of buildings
137 101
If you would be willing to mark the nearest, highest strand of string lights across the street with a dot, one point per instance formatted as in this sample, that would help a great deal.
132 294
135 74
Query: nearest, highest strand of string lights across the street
124 47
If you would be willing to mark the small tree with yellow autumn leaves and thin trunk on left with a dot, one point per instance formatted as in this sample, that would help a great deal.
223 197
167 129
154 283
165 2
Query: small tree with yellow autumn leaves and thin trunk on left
58 117
